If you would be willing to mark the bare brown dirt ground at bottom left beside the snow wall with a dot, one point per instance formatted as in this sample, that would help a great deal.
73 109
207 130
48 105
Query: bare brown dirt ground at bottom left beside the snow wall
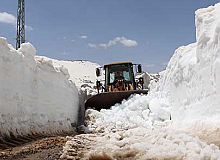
44 149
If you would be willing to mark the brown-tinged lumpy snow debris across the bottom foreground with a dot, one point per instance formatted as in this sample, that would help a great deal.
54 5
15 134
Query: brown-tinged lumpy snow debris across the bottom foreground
141 143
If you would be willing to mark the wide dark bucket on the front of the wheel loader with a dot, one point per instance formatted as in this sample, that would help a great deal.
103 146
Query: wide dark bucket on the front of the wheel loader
107 99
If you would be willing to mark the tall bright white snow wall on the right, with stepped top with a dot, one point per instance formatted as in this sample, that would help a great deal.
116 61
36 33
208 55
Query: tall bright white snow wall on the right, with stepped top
191 82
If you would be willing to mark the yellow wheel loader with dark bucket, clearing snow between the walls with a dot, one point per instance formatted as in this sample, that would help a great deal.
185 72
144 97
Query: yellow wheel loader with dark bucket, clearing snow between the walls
119 84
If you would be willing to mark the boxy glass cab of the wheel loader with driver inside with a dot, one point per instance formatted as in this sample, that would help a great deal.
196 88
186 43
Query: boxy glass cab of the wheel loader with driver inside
119 77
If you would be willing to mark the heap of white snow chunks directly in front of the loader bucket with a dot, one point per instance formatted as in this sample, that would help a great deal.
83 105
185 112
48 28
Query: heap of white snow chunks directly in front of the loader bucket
137 111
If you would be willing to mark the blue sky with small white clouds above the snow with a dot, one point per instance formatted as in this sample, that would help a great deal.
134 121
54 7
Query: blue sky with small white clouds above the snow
101 31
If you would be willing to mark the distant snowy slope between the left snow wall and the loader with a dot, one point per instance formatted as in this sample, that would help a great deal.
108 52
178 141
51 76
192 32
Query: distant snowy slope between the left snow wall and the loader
82 73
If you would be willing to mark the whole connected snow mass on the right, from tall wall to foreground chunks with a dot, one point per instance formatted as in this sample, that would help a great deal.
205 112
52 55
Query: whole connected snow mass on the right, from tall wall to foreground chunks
188 93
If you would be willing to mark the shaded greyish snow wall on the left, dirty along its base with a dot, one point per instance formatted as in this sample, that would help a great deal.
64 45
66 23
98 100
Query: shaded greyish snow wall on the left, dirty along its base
35 96
